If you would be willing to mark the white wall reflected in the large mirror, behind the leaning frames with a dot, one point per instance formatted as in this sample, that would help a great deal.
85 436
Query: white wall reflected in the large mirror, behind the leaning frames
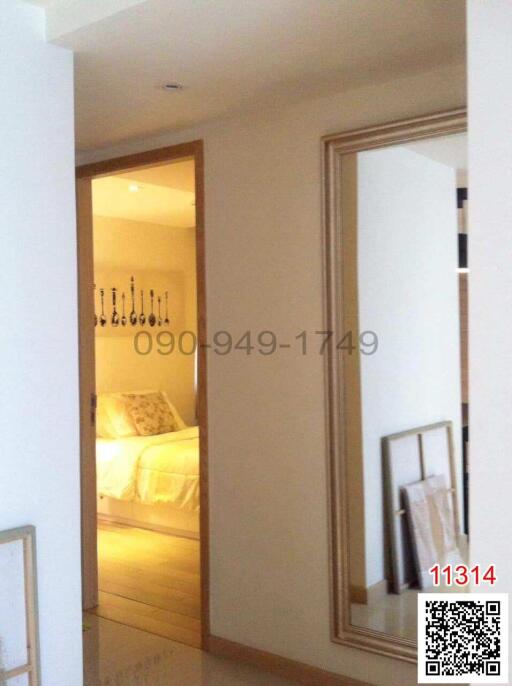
408 295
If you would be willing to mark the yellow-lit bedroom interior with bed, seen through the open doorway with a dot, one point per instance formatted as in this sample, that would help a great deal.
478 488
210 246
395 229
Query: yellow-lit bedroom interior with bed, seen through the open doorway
147 438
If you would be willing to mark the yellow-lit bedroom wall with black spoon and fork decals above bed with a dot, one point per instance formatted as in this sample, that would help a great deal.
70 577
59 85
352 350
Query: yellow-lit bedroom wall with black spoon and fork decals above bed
163 258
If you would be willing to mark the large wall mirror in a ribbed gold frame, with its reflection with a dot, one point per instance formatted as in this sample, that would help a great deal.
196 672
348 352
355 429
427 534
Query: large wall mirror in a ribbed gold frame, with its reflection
396 373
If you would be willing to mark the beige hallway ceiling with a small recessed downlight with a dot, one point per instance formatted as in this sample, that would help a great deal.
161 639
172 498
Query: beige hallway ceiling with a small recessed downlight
237 55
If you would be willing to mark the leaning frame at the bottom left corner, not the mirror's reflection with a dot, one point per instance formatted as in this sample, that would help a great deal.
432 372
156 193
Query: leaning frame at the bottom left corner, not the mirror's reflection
19 625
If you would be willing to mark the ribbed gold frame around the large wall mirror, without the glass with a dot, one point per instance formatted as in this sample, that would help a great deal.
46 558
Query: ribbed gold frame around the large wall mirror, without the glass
334 148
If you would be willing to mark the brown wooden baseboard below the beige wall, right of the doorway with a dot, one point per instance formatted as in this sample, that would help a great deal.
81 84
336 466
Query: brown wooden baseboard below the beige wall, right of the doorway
275 664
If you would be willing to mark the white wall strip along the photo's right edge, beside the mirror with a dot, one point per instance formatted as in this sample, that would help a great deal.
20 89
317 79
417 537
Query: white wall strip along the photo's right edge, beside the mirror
490 296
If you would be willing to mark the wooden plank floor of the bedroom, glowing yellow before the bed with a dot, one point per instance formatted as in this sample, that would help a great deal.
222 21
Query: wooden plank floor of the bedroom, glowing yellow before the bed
150 581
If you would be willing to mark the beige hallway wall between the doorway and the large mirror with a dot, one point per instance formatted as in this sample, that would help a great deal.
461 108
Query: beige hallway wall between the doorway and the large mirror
269 554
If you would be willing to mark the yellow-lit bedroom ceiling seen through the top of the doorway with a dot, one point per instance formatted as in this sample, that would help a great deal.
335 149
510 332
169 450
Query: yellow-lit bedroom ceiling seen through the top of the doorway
159 195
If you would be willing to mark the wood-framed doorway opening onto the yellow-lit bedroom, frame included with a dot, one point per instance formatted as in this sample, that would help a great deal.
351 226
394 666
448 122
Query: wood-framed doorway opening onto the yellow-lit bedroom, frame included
142 328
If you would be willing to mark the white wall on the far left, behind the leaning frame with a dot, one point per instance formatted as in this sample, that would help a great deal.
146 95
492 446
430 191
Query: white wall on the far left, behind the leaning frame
38 345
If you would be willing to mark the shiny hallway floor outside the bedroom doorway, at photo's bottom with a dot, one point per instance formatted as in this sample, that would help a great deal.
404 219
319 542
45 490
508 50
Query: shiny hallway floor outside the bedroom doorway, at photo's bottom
117 655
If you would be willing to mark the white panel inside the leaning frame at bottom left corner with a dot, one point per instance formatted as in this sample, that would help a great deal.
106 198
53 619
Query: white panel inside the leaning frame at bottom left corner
13 630
